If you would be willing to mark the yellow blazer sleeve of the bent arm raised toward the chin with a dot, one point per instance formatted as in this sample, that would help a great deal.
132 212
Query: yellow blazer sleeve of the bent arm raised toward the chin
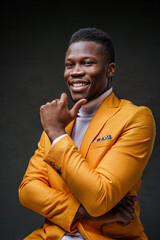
102 188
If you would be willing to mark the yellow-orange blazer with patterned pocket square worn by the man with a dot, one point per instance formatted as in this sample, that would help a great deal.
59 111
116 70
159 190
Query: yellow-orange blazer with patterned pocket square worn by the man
112 157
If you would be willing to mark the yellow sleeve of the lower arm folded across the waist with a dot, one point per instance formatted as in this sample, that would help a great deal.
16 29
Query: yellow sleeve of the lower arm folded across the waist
36 193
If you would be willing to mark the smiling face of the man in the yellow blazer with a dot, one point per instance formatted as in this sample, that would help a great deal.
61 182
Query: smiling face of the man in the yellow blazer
86 70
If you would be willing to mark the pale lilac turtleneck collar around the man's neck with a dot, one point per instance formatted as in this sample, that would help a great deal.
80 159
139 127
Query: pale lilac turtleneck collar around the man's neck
91 107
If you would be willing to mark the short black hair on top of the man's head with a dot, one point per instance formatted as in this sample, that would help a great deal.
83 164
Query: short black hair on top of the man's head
98 36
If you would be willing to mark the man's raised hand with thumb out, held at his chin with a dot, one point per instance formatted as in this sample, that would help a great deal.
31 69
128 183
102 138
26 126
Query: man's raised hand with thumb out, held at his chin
55 116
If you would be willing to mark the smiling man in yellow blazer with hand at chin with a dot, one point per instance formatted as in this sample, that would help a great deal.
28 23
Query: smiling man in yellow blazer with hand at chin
86 173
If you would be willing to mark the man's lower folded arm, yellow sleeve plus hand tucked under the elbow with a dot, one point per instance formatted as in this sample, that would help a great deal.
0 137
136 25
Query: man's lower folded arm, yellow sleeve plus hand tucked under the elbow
36 194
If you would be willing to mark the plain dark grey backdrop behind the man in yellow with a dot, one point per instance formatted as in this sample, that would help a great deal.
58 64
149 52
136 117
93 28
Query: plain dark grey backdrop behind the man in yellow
33 41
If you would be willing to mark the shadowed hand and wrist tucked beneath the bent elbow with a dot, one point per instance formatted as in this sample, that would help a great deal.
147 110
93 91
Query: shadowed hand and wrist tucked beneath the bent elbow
122 213
